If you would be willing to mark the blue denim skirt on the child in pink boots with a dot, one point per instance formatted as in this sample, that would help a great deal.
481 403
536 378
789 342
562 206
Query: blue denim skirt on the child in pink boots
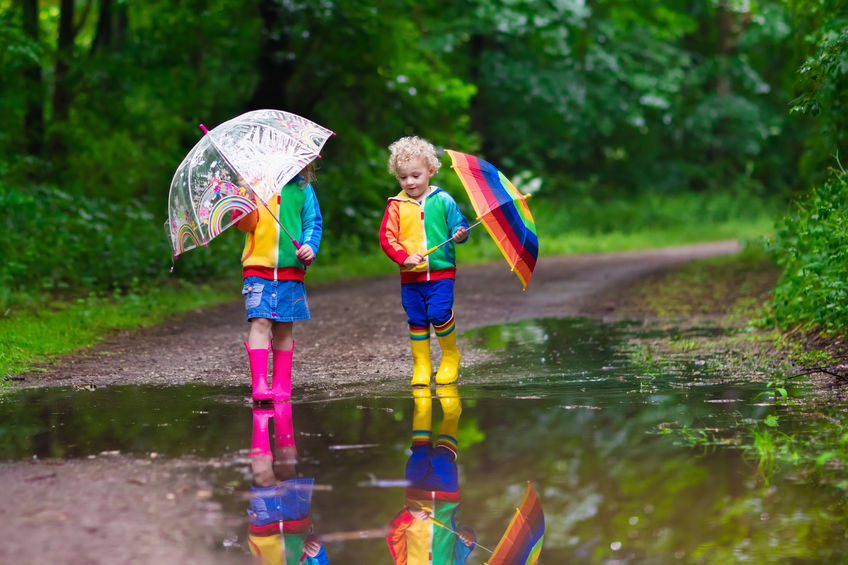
281 301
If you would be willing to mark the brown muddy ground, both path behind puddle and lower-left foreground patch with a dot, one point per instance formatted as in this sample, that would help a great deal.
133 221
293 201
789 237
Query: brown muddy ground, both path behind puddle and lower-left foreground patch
116 509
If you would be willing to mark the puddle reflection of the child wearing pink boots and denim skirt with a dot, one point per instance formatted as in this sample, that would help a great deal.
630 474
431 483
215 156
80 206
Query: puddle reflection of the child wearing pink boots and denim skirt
280 531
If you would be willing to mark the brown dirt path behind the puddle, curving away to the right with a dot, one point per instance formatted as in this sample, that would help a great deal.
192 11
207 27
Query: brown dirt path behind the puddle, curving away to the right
358 329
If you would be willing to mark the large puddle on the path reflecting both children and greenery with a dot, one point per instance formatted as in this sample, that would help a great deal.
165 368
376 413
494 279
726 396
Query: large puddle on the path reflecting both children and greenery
563 405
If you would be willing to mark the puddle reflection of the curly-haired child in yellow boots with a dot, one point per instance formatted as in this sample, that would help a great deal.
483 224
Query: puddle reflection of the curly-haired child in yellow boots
432 493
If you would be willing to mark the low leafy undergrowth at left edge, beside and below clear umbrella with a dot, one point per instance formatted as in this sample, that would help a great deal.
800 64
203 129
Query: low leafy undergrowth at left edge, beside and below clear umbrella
53 241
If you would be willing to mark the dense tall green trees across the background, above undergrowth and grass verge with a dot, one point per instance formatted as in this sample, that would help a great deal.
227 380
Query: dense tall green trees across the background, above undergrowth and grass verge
102 98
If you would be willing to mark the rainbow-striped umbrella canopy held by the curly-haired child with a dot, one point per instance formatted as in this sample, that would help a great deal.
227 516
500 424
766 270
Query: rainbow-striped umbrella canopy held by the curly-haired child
502 210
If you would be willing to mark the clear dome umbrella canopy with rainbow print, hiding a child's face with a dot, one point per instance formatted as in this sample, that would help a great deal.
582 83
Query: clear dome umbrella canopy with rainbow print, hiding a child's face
253 154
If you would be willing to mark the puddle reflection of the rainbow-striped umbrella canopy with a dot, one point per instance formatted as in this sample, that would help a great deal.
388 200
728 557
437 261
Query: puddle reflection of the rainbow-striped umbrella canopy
521 544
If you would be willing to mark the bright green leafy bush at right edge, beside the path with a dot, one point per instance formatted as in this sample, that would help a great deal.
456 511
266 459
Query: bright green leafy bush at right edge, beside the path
811 246
